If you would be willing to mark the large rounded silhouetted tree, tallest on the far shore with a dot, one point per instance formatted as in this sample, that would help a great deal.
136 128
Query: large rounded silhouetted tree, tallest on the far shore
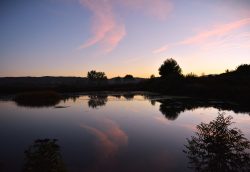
169 68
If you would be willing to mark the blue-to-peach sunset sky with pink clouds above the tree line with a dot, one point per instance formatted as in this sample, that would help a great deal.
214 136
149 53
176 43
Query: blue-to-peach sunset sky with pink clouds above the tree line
119 37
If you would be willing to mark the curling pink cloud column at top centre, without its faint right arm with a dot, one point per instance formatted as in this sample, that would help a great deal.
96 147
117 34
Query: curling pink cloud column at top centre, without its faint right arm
105 28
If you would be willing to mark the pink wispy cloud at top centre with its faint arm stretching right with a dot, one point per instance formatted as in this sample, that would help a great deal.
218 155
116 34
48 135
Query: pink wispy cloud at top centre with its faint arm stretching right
106 29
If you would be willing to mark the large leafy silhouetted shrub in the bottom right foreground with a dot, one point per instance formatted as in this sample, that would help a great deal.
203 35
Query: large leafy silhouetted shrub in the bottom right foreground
216 147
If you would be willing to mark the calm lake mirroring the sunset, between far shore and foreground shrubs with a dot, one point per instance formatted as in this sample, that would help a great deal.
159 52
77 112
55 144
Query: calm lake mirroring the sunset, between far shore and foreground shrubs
111 131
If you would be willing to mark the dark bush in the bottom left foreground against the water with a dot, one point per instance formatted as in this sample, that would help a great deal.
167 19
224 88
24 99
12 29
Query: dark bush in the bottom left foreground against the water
44 156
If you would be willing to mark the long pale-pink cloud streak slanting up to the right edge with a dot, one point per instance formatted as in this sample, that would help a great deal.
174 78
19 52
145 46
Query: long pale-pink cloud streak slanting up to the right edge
204 37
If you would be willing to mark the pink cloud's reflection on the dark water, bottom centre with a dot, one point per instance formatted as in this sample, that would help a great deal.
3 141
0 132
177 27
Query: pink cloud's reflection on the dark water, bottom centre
108 141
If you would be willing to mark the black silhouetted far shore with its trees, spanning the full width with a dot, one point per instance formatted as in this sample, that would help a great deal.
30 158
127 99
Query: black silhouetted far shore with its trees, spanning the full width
231 86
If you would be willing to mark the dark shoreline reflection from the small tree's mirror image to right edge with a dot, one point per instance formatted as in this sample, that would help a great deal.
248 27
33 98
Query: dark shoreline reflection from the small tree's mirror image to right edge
170 107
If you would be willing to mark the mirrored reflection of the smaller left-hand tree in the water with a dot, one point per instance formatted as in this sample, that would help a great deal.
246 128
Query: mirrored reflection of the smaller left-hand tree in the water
97 100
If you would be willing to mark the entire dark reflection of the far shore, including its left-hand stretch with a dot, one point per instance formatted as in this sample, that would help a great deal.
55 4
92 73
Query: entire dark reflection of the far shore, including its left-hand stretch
170 107
